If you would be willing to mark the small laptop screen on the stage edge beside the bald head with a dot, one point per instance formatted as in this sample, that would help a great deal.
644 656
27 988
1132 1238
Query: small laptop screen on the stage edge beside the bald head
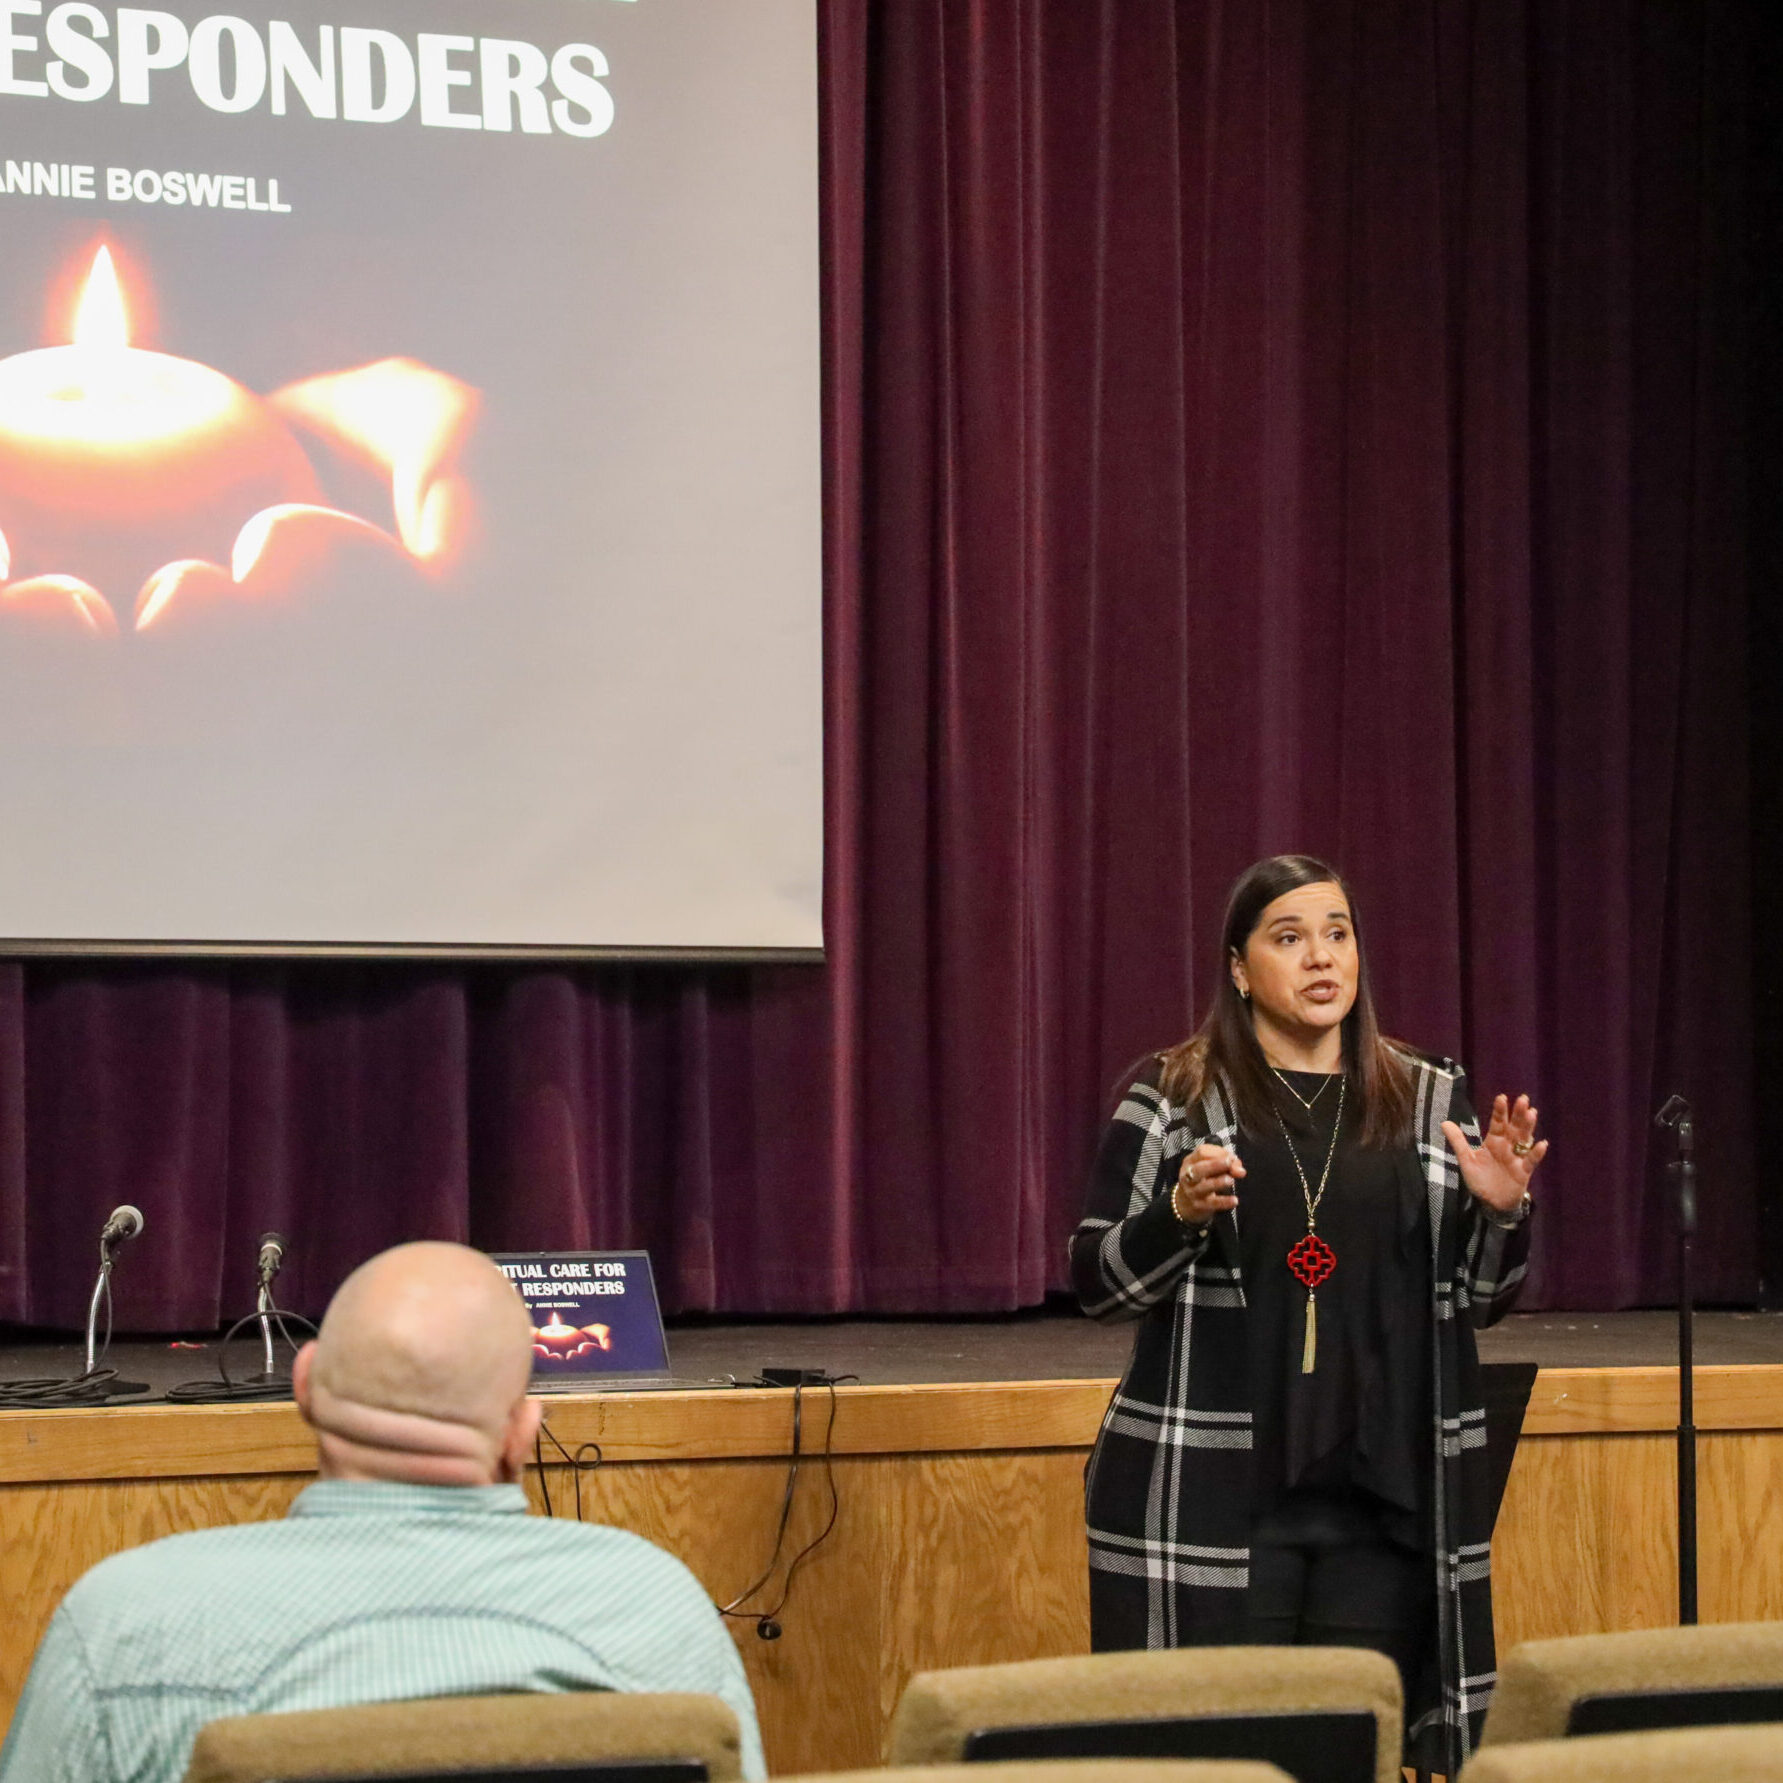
595 1313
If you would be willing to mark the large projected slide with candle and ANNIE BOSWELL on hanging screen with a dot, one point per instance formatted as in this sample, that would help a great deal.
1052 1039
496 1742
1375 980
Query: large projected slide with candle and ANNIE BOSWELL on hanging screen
411 475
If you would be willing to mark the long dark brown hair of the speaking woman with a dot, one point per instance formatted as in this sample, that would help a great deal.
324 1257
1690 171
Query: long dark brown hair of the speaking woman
1224 1049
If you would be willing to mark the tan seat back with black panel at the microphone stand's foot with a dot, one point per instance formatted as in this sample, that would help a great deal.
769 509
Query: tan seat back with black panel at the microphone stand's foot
1647 1679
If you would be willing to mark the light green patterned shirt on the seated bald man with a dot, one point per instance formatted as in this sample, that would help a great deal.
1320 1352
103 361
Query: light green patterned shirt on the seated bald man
363 1595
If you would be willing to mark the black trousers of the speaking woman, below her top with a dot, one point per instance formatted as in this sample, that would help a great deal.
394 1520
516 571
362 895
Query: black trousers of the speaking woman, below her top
1326 1573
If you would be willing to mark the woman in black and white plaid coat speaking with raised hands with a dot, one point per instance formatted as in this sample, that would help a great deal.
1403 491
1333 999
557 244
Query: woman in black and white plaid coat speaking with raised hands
1308 1224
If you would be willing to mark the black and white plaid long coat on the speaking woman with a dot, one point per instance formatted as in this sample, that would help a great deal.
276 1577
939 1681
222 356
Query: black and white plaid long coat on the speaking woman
1171 1484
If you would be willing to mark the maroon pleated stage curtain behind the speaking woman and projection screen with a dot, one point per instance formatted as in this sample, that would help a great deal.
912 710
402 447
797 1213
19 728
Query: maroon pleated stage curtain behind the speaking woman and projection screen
1249 429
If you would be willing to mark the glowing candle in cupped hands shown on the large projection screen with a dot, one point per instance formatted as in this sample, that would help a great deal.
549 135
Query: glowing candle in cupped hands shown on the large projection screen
138 488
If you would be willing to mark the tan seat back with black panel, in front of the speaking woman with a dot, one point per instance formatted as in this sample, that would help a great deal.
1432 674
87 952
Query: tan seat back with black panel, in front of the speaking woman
1322 1714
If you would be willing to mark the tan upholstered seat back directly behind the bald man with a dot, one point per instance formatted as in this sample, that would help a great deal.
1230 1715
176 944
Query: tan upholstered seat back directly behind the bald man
473 1734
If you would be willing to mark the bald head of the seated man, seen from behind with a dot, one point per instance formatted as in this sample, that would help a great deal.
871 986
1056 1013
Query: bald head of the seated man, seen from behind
420 1372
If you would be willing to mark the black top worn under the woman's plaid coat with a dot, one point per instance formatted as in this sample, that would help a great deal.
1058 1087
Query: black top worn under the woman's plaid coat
1363 1418
